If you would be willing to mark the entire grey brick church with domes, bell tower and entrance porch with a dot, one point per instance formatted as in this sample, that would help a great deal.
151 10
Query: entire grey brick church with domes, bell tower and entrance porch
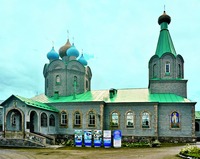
161 111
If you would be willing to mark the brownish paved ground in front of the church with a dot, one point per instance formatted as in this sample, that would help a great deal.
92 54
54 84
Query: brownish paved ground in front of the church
92 153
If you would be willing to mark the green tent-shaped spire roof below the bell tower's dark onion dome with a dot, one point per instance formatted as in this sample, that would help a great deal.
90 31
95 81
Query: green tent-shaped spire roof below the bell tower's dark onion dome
165 43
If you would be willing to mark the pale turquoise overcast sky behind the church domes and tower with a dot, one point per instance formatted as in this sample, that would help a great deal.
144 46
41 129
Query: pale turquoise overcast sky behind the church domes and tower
118 37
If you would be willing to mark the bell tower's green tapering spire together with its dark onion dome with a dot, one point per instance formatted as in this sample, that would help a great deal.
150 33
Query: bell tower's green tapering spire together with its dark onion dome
165 44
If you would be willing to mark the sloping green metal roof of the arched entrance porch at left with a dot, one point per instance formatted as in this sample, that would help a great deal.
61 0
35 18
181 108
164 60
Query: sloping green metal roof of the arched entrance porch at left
36 104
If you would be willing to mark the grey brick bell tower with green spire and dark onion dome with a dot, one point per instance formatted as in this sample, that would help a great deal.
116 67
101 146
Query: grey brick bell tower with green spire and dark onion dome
166 67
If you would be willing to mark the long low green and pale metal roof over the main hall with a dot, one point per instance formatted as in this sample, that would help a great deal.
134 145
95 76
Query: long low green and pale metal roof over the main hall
123 95
